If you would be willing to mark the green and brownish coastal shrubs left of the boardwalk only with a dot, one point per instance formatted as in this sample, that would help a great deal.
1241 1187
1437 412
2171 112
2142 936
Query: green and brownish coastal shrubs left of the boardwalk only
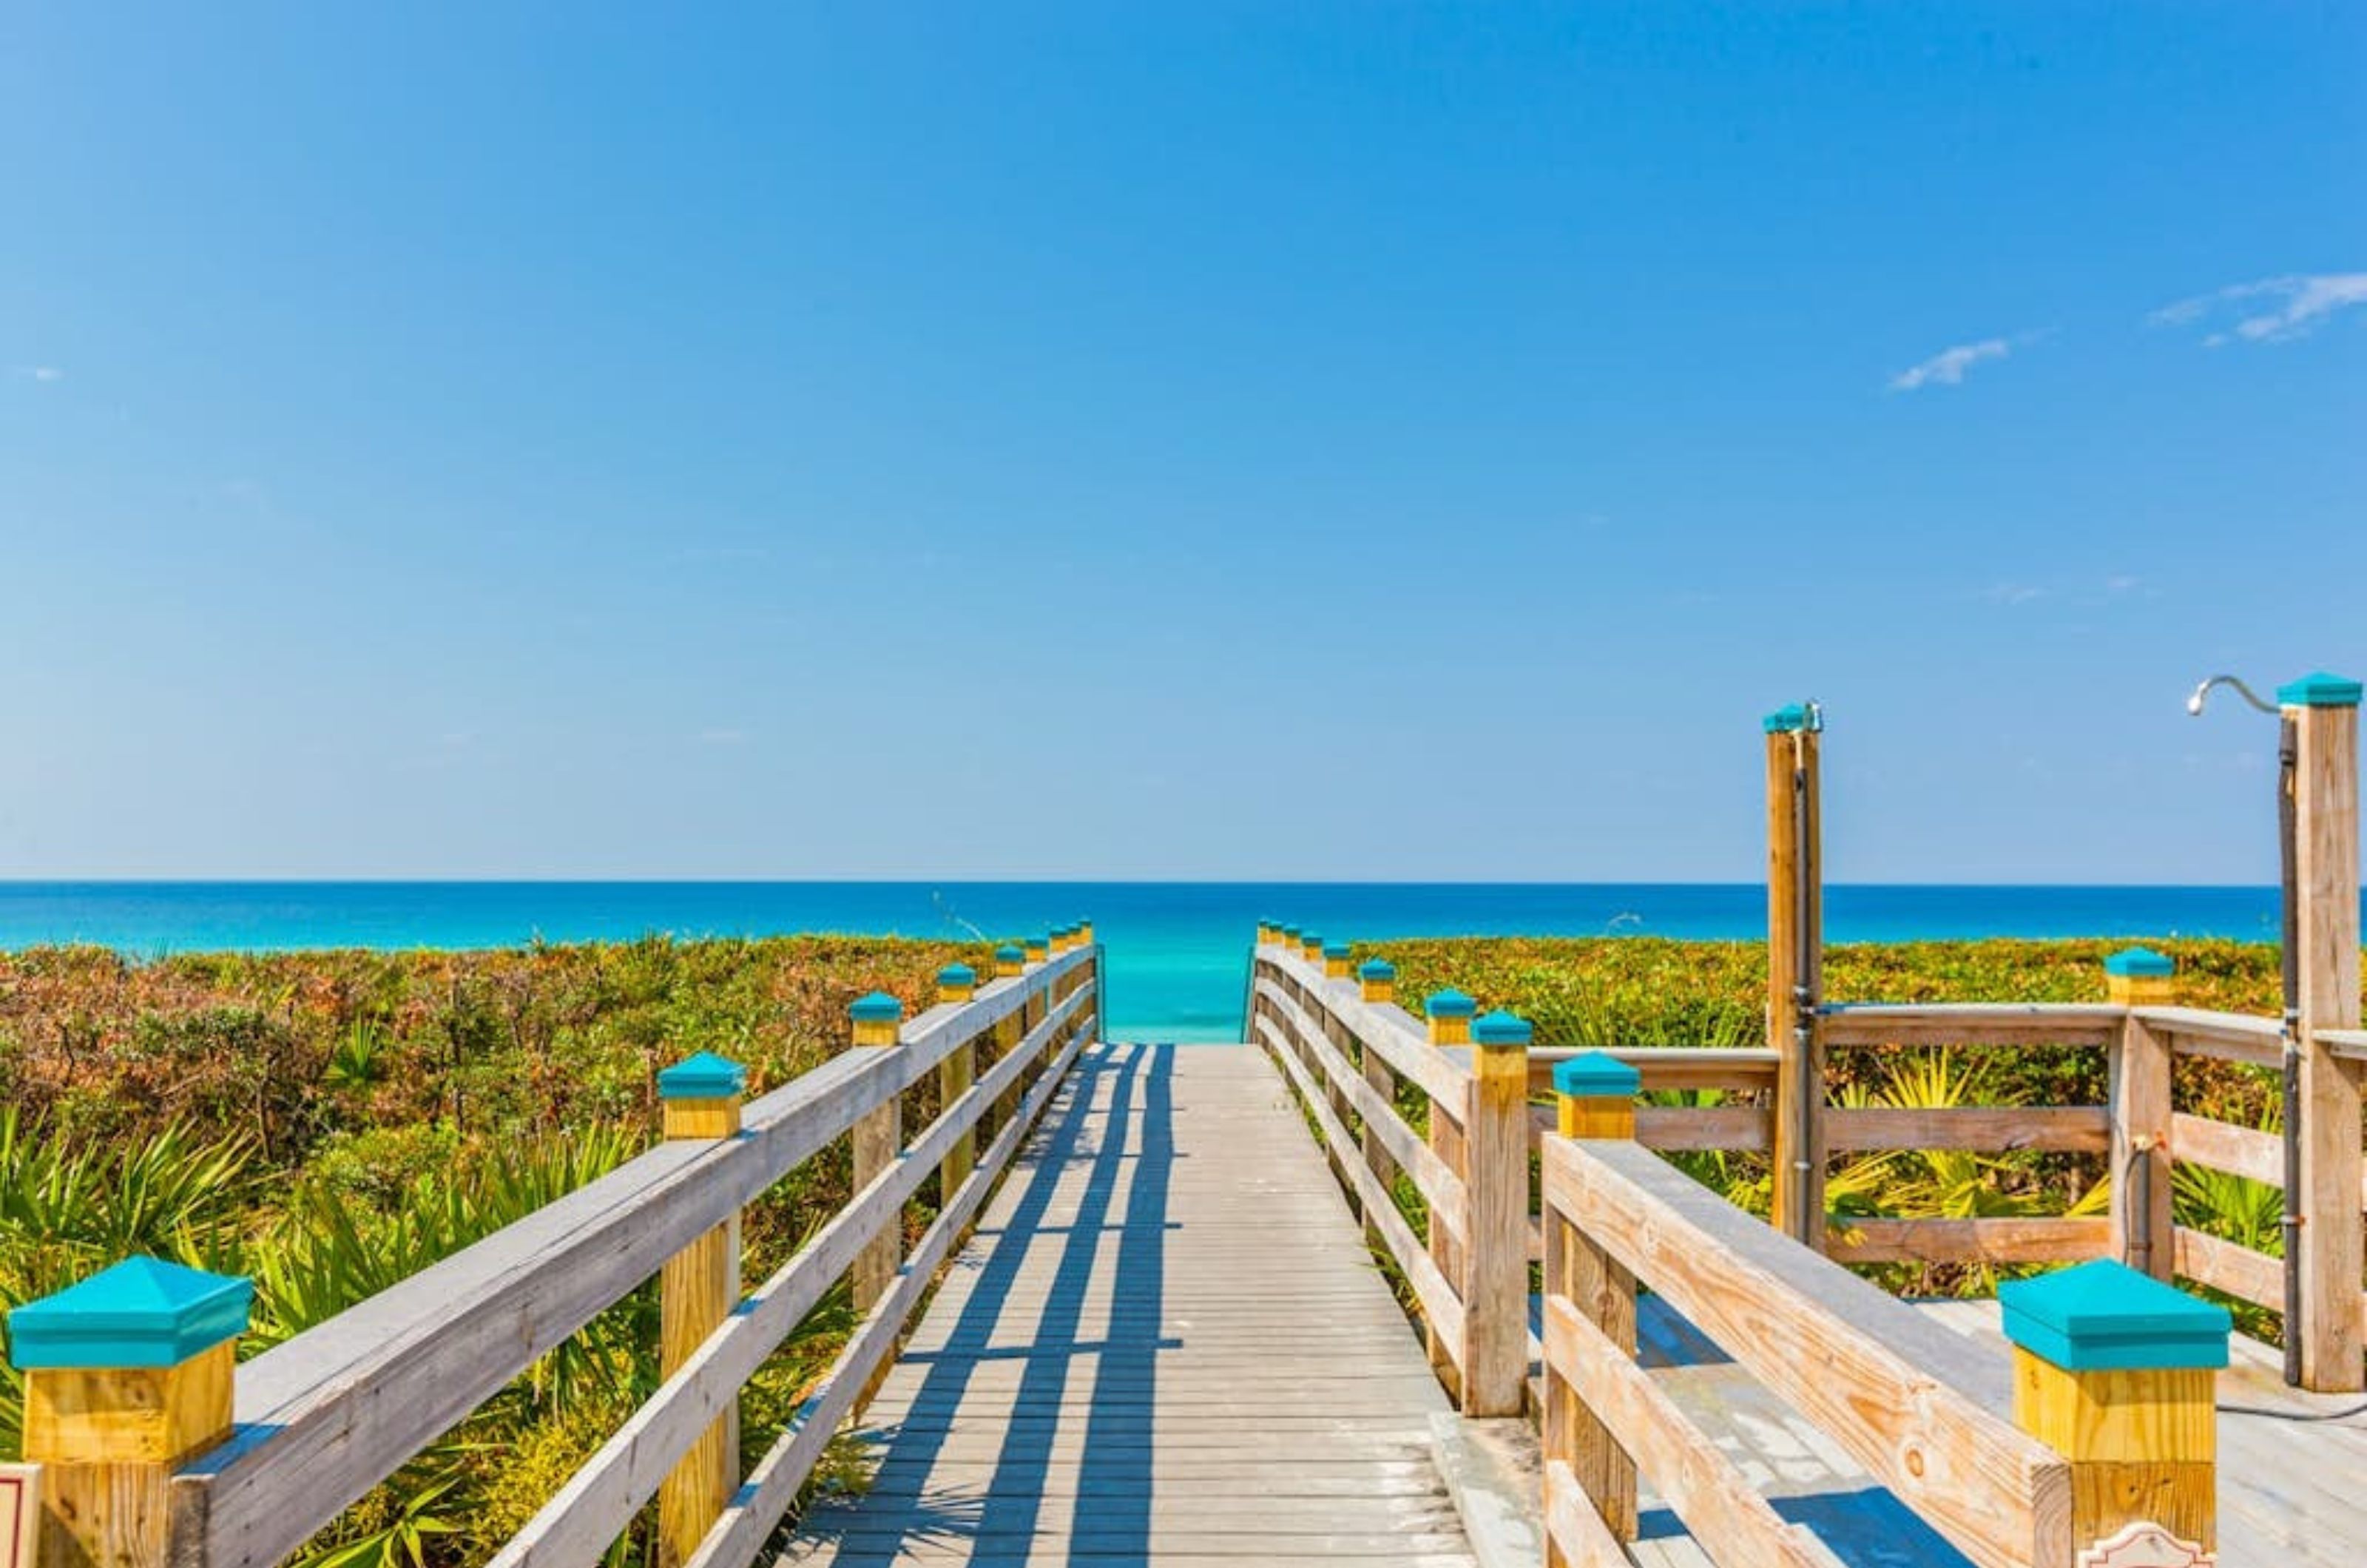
335 1122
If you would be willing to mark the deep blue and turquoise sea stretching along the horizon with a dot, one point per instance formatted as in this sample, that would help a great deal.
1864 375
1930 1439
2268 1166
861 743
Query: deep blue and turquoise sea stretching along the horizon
1178 951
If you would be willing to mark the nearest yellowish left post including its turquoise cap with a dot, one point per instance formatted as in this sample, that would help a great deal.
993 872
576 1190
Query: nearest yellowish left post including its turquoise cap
127 1375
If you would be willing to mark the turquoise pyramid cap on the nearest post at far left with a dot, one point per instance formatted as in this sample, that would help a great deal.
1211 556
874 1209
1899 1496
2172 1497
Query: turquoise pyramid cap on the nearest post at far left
141 1313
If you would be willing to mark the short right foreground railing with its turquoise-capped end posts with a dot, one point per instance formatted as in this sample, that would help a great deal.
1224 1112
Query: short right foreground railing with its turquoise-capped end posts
2098 1429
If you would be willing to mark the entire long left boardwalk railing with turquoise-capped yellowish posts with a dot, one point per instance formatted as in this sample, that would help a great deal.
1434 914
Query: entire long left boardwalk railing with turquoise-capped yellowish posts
238 1470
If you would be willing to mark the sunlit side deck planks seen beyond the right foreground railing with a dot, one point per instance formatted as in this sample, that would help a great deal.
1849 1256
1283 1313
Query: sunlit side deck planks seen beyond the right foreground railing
2290 1491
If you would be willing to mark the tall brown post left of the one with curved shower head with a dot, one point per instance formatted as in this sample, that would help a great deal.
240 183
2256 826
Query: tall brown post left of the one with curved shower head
1795 970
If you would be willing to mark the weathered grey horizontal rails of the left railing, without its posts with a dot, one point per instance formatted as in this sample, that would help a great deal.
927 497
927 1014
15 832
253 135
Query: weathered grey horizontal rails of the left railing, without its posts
340 1408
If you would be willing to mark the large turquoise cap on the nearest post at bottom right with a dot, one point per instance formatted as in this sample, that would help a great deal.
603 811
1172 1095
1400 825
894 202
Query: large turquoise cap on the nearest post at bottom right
2110 1318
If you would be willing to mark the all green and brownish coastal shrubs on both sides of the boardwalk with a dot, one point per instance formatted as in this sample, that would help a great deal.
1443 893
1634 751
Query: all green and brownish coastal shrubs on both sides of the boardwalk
335 1122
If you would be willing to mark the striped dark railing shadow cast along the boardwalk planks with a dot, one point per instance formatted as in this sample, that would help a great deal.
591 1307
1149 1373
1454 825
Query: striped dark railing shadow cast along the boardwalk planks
1133 1088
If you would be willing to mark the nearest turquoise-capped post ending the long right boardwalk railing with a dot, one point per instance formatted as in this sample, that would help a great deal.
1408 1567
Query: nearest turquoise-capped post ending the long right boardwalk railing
1497 1264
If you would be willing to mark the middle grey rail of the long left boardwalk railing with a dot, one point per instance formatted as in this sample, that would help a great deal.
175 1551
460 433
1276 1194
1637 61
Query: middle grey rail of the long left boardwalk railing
595 1505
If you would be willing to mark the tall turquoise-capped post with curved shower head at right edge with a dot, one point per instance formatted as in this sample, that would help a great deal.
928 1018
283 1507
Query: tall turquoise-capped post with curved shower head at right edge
2323 712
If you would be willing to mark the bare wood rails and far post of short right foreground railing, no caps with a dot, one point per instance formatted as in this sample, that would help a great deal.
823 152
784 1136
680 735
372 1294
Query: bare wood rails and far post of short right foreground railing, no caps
1923 1408
